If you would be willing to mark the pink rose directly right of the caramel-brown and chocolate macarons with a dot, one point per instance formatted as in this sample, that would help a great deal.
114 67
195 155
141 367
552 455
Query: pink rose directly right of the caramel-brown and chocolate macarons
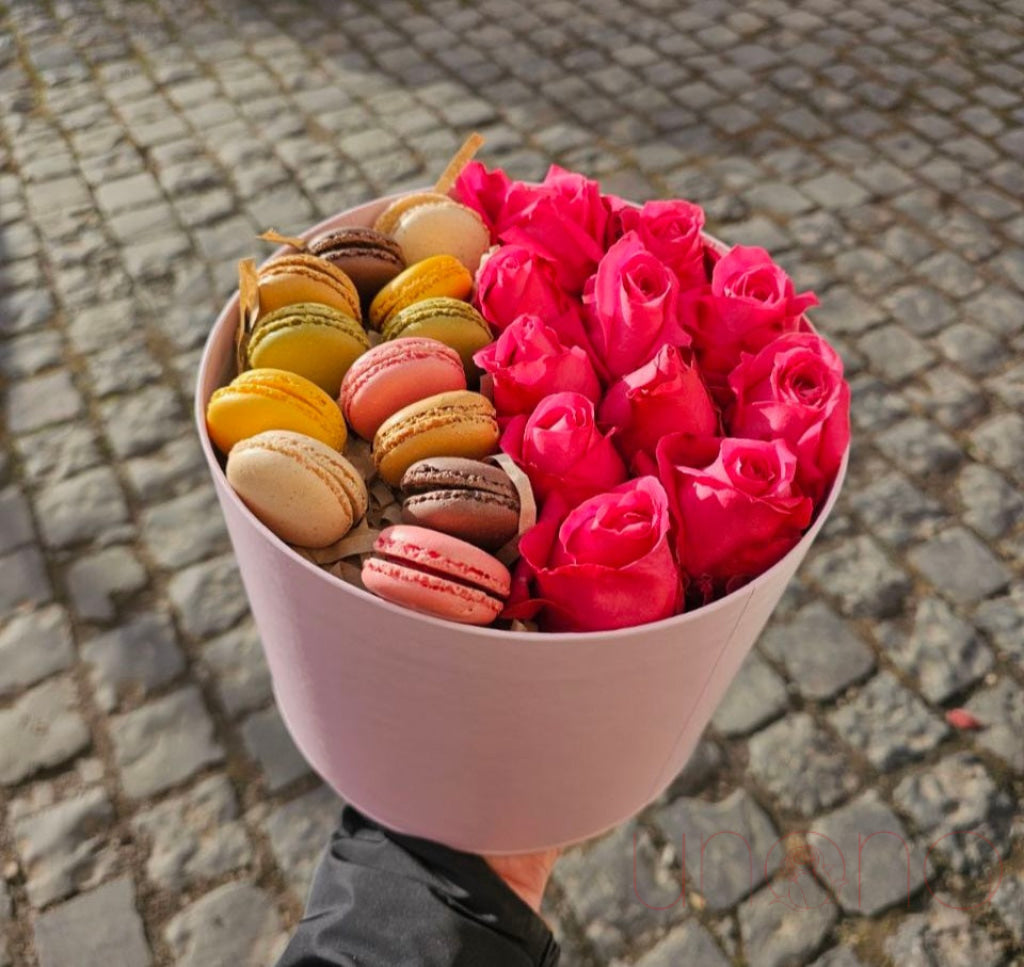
561 448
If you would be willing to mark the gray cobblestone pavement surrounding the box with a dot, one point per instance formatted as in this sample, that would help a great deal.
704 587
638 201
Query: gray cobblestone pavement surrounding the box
152 809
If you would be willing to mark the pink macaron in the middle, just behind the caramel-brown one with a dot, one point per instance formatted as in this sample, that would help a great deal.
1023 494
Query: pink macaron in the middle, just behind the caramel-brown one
395 374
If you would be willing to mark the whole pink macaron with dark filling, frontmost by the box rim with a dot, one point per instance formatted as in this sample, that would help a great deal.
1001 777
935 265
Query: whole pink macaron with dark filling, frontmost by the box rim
437 574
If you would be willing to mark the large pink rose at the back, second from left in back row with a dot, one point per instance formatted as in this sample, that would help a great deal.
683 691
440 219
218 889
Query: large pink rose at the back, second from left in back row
563 220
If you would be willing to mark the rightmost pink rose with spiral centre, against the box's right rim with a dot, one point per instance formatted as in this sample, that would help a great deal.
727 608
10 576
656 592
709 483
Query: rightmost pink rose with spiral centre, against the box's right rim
794 391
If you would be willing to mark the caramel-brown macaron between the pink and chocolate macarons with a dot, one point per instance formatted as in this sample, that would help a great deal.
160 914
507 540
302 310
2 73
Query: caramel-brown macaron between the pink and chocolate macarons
450 425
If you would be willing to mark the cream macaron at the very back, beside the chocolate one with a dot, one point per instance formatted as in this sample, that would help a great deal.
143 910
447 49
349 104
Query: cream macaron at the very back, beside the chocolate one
429 224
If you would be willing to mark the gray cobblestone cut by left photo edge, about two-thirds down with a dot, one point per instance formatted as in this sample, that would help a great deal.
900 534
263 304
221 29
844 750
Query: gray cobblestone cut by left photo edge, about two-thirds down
34 645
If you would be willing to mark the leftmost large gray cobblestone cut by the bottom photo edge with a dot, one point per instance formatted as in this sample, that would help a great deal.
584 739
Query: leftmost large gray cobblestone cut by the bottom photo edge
96 930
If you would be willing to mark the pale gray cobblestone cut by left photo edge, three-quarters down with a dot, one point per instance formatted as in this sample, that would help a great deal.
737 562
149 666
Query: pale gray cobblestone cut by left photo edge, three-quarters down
42 729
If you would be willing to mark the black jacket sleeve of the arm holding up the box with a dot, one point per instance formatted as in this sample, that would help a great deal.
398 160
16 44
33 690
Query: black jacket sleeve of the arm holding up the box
382 900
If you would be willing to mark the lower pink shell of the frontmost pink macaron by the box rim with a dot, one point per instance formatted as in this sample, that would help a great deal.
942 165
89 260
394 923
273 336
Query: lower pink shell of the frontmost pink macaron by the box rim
430 595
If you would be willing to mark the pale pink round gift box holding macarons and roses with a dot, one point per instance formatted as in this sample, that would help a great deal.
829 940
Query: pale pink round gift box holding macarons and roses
485 740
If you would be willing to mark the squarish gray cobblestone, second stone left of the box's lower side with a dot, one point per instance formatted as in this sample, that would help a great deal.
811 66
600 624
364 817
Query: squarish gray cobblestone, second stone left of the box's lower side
164 743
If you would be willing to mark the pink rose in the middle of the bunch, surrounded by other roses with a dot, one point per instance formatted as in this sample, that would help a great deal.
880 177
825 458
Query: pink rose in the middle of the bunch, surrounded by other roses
663 397
